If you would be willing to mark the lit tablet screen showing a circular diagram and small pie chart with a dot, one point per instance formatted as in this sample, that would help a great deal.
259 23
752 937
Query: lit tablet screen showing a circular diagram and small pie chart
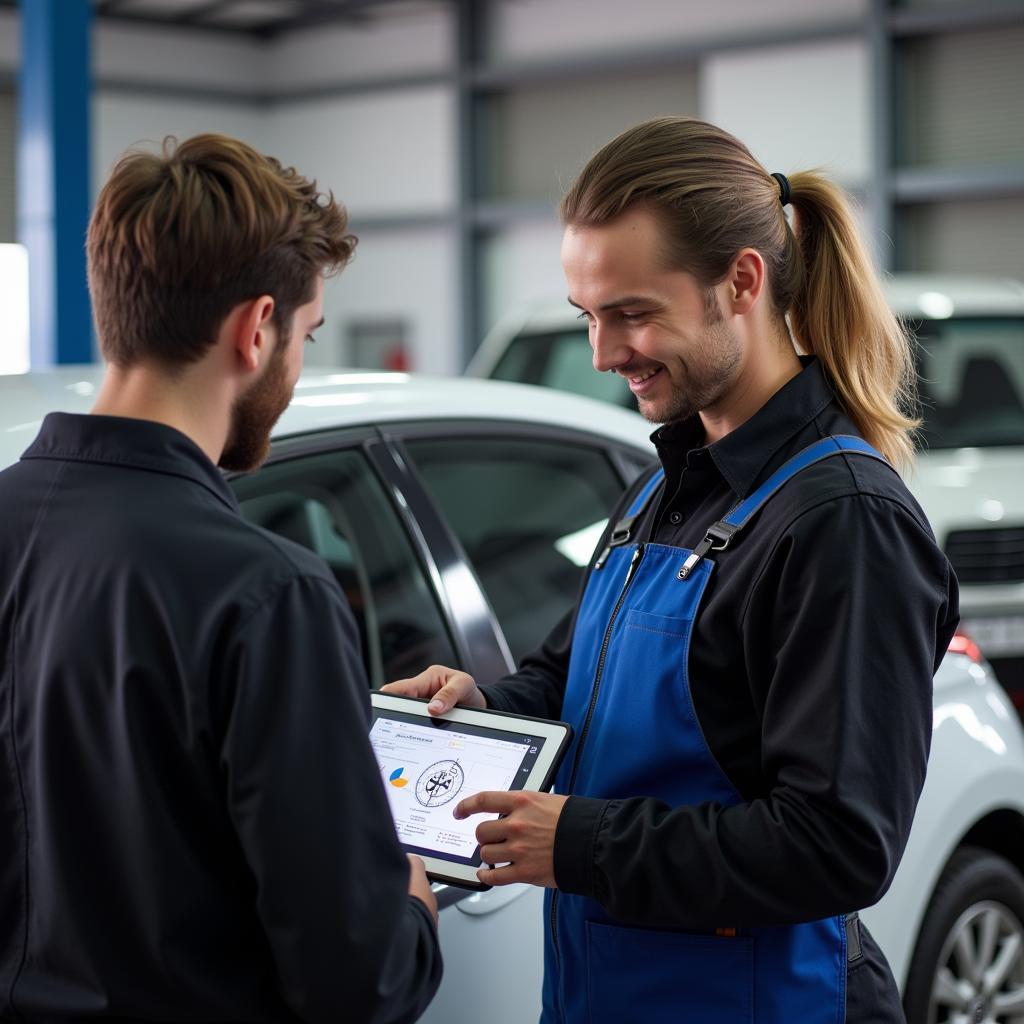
430 765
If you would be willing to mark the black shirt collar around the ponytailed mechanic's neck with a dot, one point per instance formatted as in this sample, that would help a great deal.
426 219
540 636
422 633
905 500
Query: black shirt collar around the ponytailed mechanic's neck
743 454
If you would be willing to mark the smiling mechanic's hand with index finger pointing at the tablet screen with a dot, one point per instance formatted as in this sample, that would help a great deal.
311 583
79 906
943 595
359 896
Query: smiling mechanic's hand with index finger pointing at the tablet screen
523 841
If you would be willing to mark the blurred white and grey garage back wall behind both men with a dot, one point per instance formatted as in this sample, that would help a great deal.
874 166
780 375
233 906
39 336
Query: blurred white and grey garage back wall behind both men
377 111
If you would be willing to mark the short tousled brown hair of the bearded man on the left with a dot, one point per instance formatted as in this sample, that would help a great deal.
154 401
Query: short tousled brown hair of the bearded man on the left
179 239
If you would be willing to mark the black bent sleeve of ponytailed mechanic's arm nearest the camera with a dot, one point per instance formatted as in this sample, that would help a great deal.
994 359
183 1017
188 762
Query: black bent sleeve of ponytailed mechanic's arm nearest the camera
843 630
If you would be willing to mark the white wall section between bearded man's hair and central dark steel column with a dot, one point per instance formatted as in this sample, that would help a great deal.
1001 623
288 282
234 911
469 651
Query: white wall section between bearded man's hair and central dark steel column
390 155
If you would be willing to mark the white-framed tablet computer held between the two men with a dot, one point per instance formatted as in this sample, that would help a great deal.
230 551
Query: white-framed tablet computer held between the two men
432 763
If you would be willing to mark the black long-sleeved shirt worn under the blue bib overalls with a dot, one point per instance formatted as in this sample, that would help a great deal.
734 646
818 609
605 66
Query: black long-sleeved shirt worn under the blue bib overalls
810 669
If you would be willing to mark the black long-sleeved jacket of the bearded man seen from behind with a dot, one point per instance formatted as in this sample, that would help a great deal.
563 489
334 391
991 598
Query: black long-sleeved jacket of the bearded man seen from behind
193 826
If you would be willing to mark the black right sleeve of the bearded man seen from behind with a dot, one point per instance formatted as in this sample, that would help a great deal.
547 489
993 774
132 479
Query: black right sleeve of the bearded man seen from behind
331 882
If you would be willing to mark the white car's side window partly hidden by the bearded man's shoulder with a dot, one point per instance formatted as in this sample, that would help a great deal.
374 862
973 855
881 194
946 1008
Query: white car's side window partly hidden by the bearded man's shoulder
333 504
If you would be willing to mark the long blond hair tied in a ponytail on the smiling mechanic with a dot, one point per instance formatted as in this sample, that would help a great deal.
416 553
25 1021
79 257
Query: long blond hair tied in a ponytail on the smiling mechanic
714 199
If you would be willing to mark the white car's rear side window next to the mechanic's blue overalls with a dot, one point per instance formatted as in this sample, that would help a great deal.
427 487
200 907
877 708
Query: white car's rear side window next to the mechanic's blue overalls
529 515
